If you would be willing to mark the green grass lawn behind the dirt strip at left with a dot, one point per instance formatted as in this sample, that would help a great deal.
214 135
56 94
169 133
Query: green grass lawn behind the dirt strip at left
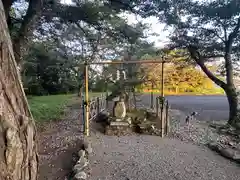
47 108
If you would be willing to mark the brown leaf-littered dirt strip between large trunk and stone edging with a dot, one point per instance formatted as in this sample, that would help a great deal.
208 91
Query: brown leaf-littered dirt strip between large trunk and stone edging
58 145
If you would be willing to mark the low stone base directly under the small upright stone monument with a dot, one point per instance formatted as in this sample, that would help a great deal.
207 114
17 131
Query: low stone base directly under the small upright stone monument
118 129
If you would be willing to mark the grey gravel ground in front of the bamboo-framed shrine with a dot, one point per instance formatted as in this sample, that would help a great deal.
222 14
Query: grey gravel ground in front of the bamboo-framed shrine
150 157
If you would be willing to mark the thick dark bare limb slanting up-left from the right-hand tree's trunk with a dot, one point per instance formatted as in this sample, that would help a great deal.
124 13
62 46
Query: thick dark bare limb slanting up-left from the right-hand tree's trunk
200 61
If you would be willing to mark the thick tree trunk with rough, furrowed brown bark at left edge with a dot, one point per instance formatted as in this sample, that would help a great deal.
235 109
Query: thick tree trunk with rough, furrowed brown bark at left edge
18 151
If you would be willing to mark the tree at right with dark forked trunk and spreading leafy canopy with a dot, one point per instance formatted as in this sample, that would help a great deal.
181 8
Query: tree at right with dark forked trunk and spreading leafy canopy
208 29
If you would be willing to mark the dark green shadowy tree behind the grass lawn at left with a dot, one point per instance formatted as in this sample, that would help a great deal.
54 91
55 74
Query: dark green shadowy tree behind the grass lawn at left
46 72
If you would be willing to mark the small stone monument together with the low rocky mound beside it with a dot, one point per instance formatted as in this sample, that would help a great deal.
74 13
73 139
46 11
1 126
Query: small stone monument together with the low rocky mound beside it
123 121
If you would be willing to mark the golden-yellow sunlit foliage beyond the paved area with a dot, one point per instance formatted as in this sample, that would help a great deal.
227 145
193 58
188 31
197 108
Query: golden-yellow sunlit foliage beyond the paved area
177 79
